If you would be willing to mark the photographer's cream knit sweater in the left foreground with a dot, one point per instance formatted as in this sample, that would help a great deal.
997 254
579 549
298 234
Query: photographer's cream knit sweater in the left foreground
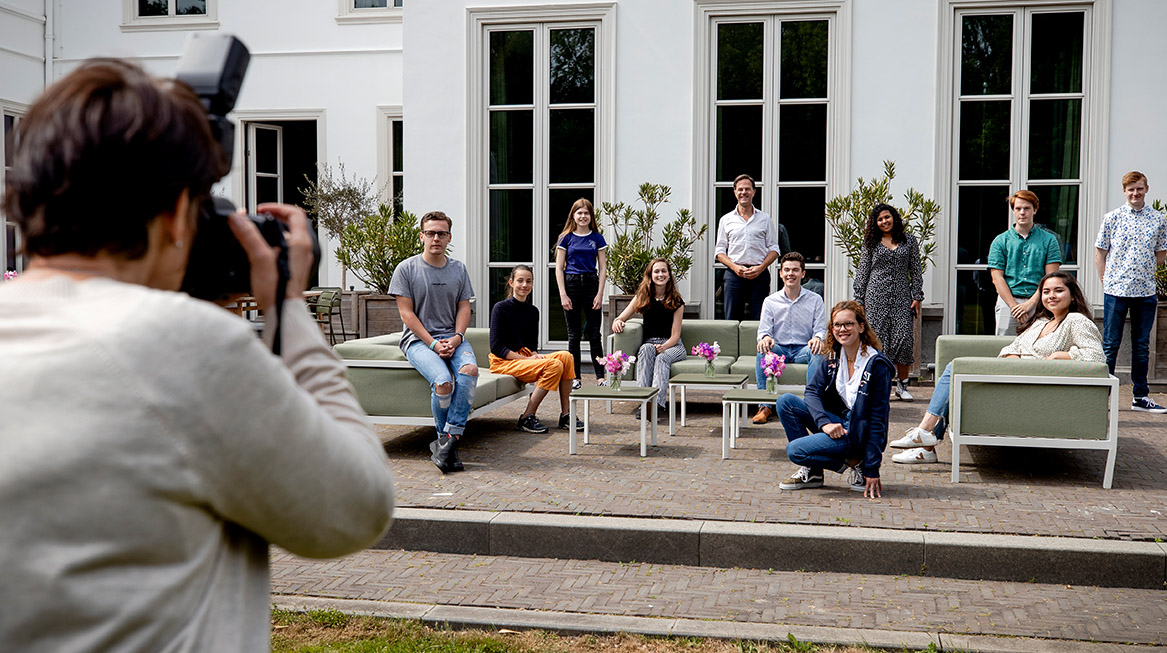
151 448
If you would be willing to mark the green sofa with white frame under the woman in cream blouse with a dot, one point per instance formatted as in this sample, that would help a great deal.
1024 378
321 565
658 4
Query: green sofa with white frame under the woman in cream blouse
1028 403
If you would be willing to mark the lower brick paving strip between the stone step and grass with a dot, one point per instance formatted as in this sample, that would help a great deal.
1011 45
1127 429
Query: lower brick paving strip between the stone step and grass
849 601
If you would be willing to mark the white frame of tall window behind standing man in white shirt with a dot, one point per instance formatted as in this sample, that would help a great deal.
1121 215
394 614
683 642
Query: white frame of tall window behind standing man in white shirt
712 13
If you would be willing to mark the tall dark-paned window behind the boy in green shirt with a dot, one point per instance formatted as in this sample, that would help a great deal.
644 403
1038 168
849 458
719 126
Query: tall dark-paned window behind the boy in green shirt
1019 124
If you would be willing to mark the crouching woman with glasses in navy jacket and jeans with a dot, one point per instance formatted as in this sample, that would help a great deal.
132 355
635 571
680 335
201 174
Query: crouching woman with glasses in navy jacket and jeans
842 424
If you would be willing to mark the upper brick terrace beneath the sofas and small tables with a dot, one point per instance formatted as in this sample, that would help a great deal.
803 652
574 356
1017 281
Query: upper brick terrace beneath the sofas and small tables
1008 491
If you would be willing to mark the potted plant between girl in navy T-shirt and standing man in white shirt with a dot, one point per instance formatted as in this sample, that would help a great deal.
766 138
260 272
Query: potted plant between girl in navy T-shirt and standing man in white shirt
632 242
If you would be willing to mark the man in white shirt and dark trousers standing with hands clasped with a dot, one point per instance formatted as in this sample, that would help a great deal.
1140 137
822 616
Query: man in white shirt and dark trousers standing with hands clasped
747 245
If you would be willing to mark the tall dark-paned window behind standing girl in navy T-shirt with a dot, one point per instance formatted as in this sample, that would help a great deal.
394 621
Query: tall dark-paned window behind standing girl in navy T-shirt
542 118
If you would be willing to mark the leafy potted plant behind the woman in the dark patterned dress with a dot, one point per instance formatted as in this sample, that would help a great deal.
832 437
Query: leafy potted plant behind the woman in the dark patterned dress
848 216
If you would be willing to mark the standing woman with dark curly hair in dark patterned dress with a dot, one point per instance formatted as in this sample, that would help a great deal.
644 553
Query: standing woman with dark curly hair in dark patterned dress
890 285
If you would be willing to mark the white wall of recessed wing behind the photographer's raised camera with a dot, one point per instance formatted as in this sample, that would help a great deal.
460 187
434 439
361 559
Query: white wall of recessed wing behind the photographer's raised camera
302 60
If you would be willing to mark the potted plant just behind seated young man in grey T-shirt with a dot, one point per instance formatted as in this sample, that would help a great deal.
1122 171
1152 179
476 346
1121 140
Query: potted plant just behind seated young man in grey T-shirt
373 248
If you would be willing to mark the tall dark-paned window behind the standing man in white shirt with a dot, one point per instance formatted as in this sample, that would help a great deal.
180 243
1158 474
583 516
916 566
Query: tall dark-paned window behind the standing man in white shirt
772 109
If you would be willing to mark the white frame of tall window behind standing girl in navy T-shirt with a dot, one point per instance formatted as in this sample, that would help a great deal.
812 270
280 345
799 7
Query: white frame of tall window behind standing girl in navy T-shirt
600 17
